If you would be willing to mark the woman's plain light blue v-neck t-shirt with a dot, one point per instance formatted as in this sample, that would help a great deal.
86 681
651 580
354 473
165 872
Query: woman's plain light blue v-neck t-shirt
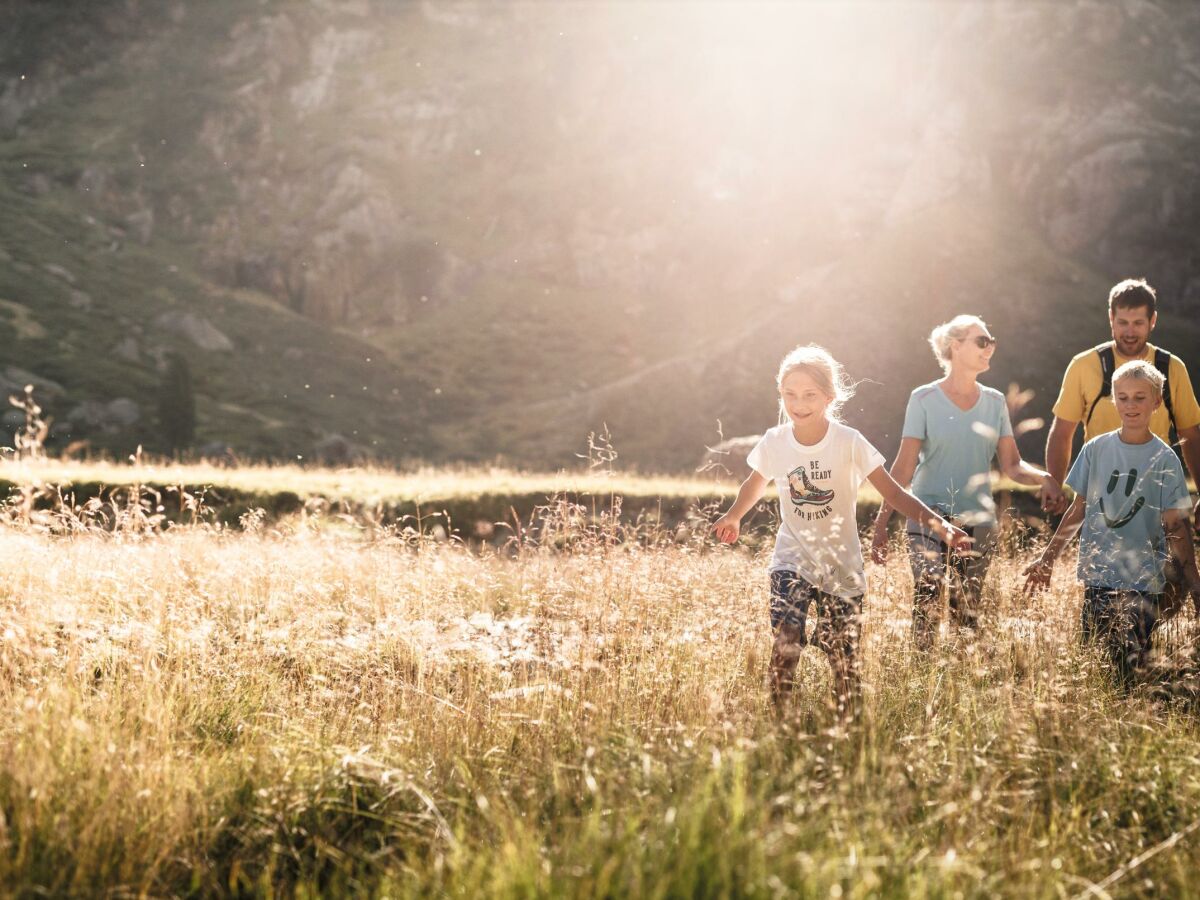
955 469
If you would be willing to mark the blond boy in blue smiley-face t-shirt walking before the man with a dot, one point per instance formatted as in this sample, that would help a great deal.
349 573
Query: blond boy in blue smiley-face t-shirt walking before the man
1132 501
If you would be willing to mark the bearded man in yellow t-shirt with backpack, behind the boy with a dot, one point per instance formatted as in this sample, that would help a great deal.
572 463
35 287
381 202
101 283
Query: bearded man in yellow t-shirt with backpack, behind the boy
1088 386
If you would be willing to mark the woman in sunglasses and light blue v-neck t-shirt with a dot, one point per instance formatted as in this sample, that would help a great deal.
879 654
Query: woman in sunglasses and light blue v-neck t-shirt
953 429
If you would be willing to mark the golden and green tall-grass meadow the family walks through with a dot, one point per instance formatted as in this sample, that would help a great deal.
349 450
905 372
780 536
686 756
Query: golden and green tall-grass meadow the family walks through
310 707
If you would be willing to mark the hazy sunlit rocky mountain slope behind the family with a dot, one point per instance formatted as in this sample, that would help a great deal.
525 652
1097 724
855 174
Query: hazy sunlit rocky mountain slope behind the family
463 231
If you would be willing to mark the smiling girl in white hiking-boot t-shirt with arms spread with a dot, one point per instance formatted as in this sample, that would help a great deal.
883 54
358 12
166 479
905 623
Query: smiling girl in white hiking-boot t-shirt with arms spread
819 464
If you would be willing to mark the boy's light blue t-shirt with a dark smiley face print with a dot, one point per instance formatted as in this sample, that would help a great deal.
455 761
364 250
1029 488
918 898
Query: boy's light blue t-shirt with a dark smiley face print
1127 488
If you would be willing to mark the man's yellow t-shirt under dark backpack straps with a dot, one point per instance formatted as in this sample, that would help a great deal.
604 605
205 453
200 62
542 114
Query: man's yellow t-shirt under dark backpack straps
1083 382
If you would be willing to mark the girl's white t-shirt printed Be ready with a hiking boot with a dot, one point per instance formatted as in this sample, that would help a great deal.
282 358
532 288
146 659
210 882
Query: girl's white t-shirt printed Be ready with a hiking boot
818 496
